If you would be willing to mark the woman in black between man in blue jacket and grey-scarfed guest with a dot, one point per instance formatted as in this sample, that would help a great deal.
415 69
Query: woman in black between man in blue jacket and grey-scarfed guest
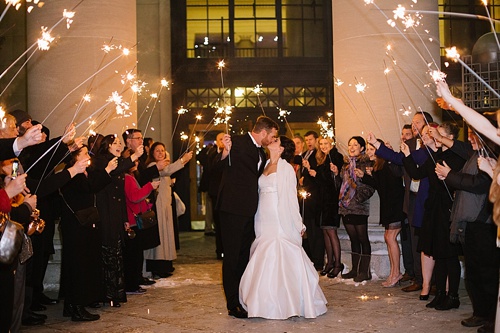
434 238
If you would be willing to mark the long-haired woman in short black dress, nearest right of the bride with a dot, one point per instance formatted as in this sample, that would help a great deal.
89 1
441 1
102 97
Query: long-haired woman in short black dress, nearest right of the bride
329 186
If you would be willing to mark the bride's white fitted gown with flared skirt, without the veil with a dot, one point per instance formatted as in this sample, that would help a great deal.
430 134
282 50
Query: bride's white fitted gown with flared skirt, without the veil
280 280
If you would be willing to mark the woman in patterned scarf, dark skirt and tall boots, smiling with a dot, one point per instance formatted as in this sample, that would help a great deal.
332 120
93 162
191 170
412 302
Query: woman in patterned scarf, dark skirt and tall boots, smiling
355 208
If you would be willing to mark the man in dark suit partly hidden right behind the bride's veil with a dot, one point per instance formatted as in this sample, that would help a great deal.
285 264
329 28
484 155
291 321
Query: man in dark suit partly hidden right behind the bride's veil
314 244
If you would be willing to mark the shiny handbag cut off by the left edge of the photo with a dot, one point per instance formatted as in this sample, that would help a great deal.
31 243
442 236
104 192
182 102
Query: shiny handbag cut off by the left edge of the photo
11 239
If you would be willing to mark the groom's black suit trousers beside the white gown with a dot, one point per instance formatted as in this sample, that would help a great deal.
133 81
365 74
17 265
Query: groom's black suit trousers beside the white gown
237 237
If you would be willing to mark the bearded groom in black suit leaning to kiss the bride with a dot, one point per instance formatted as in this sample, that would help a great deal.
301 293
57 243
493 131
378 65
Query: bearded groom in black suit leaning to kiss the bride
243 160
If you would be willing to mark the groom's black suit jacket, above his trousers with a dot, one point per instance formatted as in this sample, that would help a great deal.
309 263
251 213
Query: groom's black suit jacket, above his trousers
238 191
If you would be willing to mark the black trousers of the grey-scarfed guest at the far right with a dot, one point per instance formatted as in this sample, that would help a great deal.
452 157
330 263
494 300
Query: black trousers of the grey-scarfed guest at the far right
482 259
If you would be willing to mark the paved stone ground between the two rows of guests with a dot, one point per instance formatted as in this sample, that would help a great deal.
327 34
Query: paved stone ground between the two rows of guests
192 300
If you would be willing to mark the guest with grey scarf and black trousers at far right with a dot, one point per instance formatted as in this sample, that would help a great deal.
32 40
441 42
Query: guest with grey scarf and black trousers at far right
472 226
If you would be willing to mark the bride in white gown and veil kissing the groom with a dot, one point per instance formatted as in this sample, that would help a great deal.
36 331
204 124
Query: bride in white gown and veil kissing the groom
280 280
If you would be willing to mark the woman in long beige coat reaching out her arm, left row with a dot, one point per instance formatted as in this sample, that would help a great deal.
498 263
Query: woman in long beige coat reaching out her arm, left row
159 260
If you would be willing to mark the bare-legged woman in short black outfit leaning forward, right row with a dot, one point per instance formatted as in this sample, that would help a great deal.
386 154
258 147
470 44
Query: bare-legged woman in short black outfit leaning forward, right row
386 178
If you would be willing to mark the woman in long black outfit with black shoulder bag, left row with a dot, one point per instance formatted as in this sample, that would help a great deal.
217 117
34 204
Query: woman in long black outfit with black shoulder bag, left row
81 255
